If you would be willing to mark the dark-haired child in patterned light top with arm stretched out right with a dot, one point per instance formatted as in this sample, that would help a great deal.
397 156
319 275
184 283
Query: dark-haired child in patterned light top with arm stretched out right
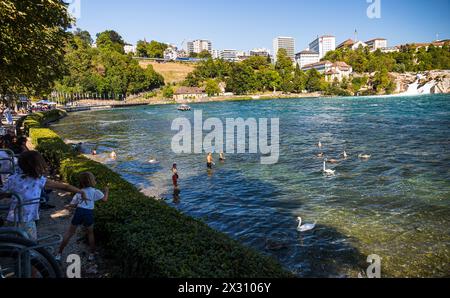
29 185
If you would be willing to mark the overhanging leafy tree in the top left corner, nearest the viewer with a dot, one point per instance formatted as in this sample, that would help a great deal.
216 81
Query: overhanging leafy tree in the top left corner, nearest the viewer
33 38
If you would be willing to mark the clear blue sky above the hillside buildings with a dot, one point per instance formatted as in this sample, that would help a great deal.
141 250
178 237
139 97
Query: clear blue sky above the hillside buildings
246 24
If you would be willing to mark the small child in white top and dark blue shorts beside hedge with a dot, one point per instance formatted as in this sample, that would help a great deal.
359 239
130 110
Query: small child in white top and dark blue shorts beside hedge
84 214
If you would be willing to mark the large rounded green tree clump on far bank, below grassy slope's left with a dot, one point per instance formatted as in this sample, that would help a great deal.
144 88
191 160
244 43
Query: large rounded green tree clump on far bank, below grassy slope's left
104 70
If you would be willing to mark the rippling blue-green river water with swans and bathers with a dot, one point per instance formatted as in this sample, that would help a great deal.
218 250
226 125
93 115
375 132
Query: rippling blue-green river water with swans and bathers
395 205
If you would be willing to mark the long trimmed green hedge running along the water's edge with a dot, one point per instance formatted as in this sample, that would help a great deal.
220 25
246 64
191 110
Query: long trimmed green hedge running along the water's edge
150 239
